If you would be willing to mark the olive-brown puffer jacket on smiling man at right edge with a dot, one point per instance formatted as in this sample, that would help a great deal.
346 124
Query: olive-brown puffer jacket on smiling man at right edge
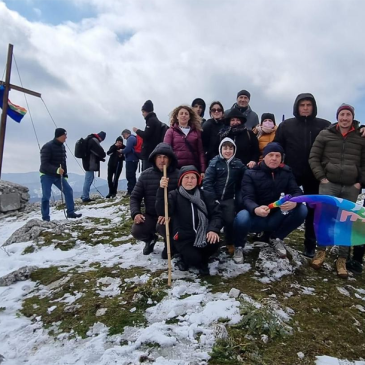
340 159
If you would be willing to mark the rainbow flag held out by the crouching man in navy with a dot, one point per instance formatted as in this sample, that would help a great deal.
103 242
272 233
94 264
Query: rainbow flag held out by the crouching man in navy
337 222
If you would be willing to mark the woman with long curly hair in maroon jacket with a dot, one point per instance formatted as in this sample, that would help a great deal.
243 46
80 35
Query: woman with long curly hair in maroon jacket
184 136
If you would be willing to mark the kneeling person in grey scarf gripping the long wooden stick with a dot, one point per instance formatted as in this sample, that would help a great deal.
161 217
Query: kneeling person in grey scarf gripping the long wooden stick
196 219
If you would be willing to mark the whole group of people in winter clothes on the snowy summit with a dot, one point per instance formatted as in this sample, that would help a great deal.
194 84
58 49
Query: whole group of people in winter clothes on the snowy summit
225 171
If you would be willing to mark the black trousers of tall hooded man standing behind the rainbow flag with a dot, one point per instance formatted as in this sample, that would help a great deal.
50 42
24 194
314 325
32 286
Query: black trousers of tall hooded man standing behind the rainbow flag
310 186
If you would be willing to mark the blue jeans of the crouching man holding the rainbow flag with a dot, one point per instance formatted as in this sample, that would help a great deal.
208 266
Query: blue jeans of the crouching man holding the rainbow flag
279 224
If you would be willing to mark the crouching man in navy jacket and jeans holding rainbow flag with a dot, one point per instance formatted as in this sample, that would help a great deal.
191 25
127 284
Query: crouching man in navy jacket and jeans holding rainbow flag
260 187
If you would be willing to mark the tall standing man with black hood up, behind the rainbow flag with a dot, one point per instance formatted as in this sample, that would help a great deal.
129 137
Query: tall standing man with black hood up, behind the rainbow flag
297 136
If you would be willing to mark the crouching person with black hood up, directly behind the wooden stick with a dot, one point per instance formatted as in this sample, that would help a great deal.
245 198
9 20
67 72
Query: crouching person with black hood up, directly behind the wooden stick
144 226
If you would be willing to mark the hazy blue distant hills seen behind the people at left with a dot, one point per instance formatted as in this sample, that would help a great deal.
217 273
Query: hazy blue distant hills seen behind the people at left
32 182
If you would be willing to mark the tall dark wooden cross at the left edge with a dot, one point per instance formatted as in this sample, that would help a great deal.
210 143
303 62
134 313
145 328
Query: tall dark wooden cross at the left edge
7 85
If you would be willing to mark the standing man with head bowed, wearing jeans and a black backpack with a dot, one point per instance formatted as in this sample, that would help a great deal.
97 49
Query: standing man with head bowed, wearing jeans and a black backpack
91 162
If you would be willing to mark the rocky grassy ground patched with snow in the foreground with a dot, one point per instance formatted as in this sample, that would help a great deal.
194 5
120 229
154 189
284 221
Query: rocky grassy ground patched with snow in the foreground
81 292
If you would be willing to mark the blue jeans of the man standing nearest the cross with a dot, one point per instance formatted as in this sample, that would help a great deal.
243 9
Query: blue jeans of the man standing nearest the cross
47 181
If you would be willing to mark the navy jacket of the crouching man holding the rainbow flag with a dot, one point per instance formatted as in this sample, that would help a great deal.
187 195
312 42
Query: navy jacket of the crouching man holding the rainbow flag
262 185
